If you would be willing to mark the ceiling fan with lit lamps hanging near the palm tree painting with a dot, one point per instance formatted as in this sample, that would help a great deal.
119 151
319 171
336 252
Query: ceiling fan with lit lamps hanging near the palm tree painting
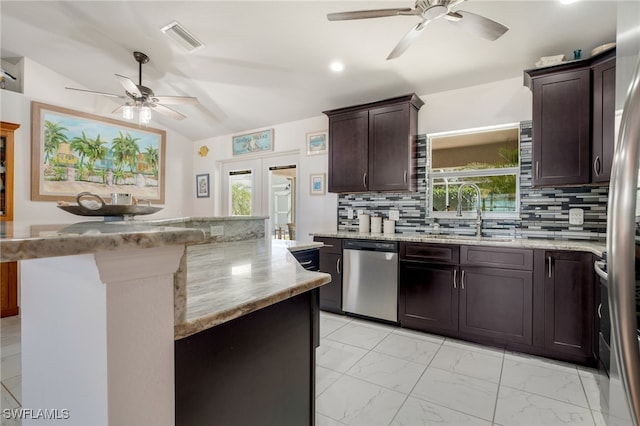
143 98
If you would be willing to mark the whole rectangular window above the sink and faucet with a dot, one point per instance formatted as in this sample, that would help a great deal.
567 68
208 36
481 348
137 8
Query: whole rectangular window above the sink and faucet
488 157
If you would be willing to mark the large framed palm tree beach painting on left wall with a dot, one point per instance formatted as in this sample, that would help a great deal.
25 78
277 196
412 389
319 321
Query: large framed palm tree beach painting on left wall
73 152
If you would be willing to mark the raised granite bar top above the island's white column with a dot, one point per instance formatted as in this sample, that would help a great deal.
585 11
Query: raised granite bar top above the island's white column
26 241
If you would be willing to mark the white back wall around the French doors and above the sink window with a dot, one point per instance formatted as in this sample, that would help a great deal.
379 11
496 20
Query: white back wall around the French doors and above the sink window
500 102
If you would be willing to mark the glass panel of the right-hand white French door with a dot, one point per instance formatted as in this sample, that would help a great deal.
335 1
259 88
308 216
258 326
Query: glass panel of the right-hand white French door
282 195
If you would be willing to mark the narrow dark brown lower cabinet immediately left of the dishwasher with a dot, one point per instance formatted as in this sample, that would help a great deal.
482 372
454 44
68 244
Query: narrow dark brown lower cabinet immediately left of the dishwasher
331 263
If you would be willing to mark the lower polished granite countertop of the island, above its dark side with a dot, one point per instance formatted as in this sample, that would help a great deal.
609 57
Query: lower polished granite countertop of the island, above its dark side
228 280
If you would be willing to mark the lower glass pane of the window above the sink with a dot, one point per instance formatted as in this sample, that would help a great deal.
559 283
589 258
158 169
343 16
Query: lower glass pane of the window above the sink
498 193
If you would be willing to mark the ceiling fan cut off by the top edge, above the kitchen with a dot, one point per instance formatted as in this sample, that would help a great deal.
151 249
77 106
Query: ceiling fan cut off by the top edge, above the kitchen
429 10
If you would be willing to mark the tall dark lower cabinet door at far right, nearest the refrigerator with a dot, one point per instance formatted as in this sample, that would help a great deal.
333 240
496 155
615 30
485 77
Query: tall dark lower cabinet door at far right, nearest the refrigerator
568 303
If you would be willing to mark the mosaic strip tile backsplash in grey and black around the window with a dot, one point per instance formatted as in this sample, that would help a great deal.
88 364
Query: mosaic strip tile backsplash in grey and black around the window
544 212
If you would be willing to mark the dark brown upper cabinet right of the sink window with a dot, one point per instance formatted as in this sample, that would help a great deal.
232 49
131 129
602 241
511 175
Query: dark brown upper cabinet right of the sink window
573 115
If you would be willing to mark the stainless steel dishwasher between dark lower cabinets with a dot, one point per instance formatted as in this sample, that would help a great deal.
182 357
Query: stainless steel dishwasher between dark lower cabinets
370 279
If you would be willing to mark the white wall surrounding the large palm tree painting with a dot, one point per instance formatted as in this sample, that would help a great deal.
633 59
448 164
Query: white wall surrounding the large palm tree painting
43 85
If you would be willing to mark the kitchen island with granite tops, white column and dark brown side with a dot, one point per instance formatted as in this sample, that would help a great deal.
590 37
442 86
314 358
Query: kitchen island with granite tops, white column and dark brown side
98 315
